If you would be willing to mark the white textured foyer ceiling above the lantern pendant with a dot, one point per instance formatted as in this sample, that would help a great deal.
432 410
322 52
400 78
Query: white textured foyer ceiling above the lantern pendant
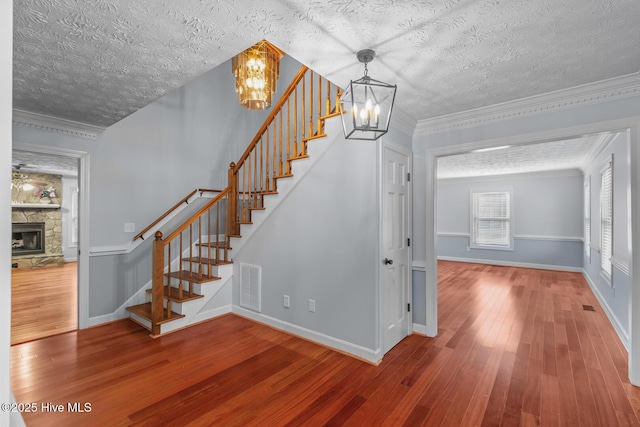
97 61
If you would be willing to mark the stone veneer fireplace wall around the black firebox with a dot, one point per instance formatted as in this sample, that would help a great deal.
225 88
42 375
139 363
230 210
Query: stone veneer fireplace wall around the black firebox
52 217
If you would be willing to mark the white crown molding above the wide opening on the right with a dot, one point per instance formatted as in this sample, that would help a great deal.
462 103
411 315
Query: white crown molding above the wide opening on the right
583 95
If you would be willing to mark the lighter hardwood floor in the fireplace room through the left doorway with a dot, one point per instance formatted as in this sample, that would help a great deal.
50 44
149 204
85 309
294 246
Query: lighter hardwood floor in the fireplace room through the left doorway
44 302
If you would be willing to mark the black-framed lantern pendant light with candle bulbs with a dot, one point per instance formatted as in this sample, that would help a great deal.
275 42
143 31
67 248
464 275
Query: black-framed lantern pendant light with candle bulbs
367 104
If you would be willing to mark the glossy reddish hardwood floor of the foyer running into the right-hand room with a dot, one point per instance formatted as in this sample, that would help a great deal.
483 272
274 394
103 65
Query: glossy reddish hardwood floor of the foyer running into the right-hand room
515 347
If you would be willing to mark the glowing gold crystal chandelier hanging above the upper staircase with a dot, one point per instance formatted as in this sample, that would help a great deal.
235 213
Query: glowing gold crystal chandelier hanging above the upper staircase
257 70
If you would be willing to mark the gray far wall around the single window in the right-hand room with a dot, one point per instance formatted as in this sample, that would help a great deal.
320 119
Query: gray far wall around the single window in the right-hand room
546 219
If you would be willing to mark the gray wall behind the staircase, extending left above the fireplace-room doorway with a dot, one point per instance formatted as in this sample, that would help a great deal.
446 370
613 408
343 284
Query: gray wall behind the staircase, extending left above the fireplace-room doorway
144 164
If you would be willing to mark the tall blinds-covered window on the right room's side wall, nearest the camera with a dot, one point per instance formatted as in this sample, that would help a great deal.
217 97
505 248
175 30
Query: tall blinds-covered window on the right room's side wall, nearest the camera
606 219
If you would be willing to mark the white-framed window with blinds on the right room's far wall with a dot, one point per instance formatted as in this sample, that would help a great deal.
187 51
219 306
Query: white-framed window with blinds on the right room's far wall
491 220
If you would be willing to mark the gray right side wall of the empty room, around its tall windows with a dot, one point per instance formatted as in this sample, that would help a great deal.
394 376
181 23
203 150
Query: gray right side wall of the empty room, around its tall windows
617 294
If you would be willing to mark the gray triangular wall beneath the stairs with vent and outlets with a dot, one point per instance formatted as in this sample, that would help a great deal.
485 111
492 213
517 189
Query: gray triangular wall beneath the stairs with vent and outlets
321 243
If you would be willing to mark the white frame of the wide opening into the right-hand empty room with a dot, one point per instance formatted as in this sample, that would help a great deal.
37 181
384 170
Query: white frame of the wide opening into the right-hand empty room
630 123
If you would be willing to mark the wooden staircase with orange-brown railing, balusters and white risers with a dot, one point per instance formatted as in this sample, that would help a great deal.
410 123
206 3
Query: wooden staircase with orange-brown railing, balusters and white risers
193 263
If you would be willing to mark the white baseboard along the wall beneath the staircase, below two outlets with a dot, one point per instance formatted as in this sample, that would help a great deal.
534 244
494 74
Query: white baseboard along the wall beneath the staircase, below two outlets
373 356
